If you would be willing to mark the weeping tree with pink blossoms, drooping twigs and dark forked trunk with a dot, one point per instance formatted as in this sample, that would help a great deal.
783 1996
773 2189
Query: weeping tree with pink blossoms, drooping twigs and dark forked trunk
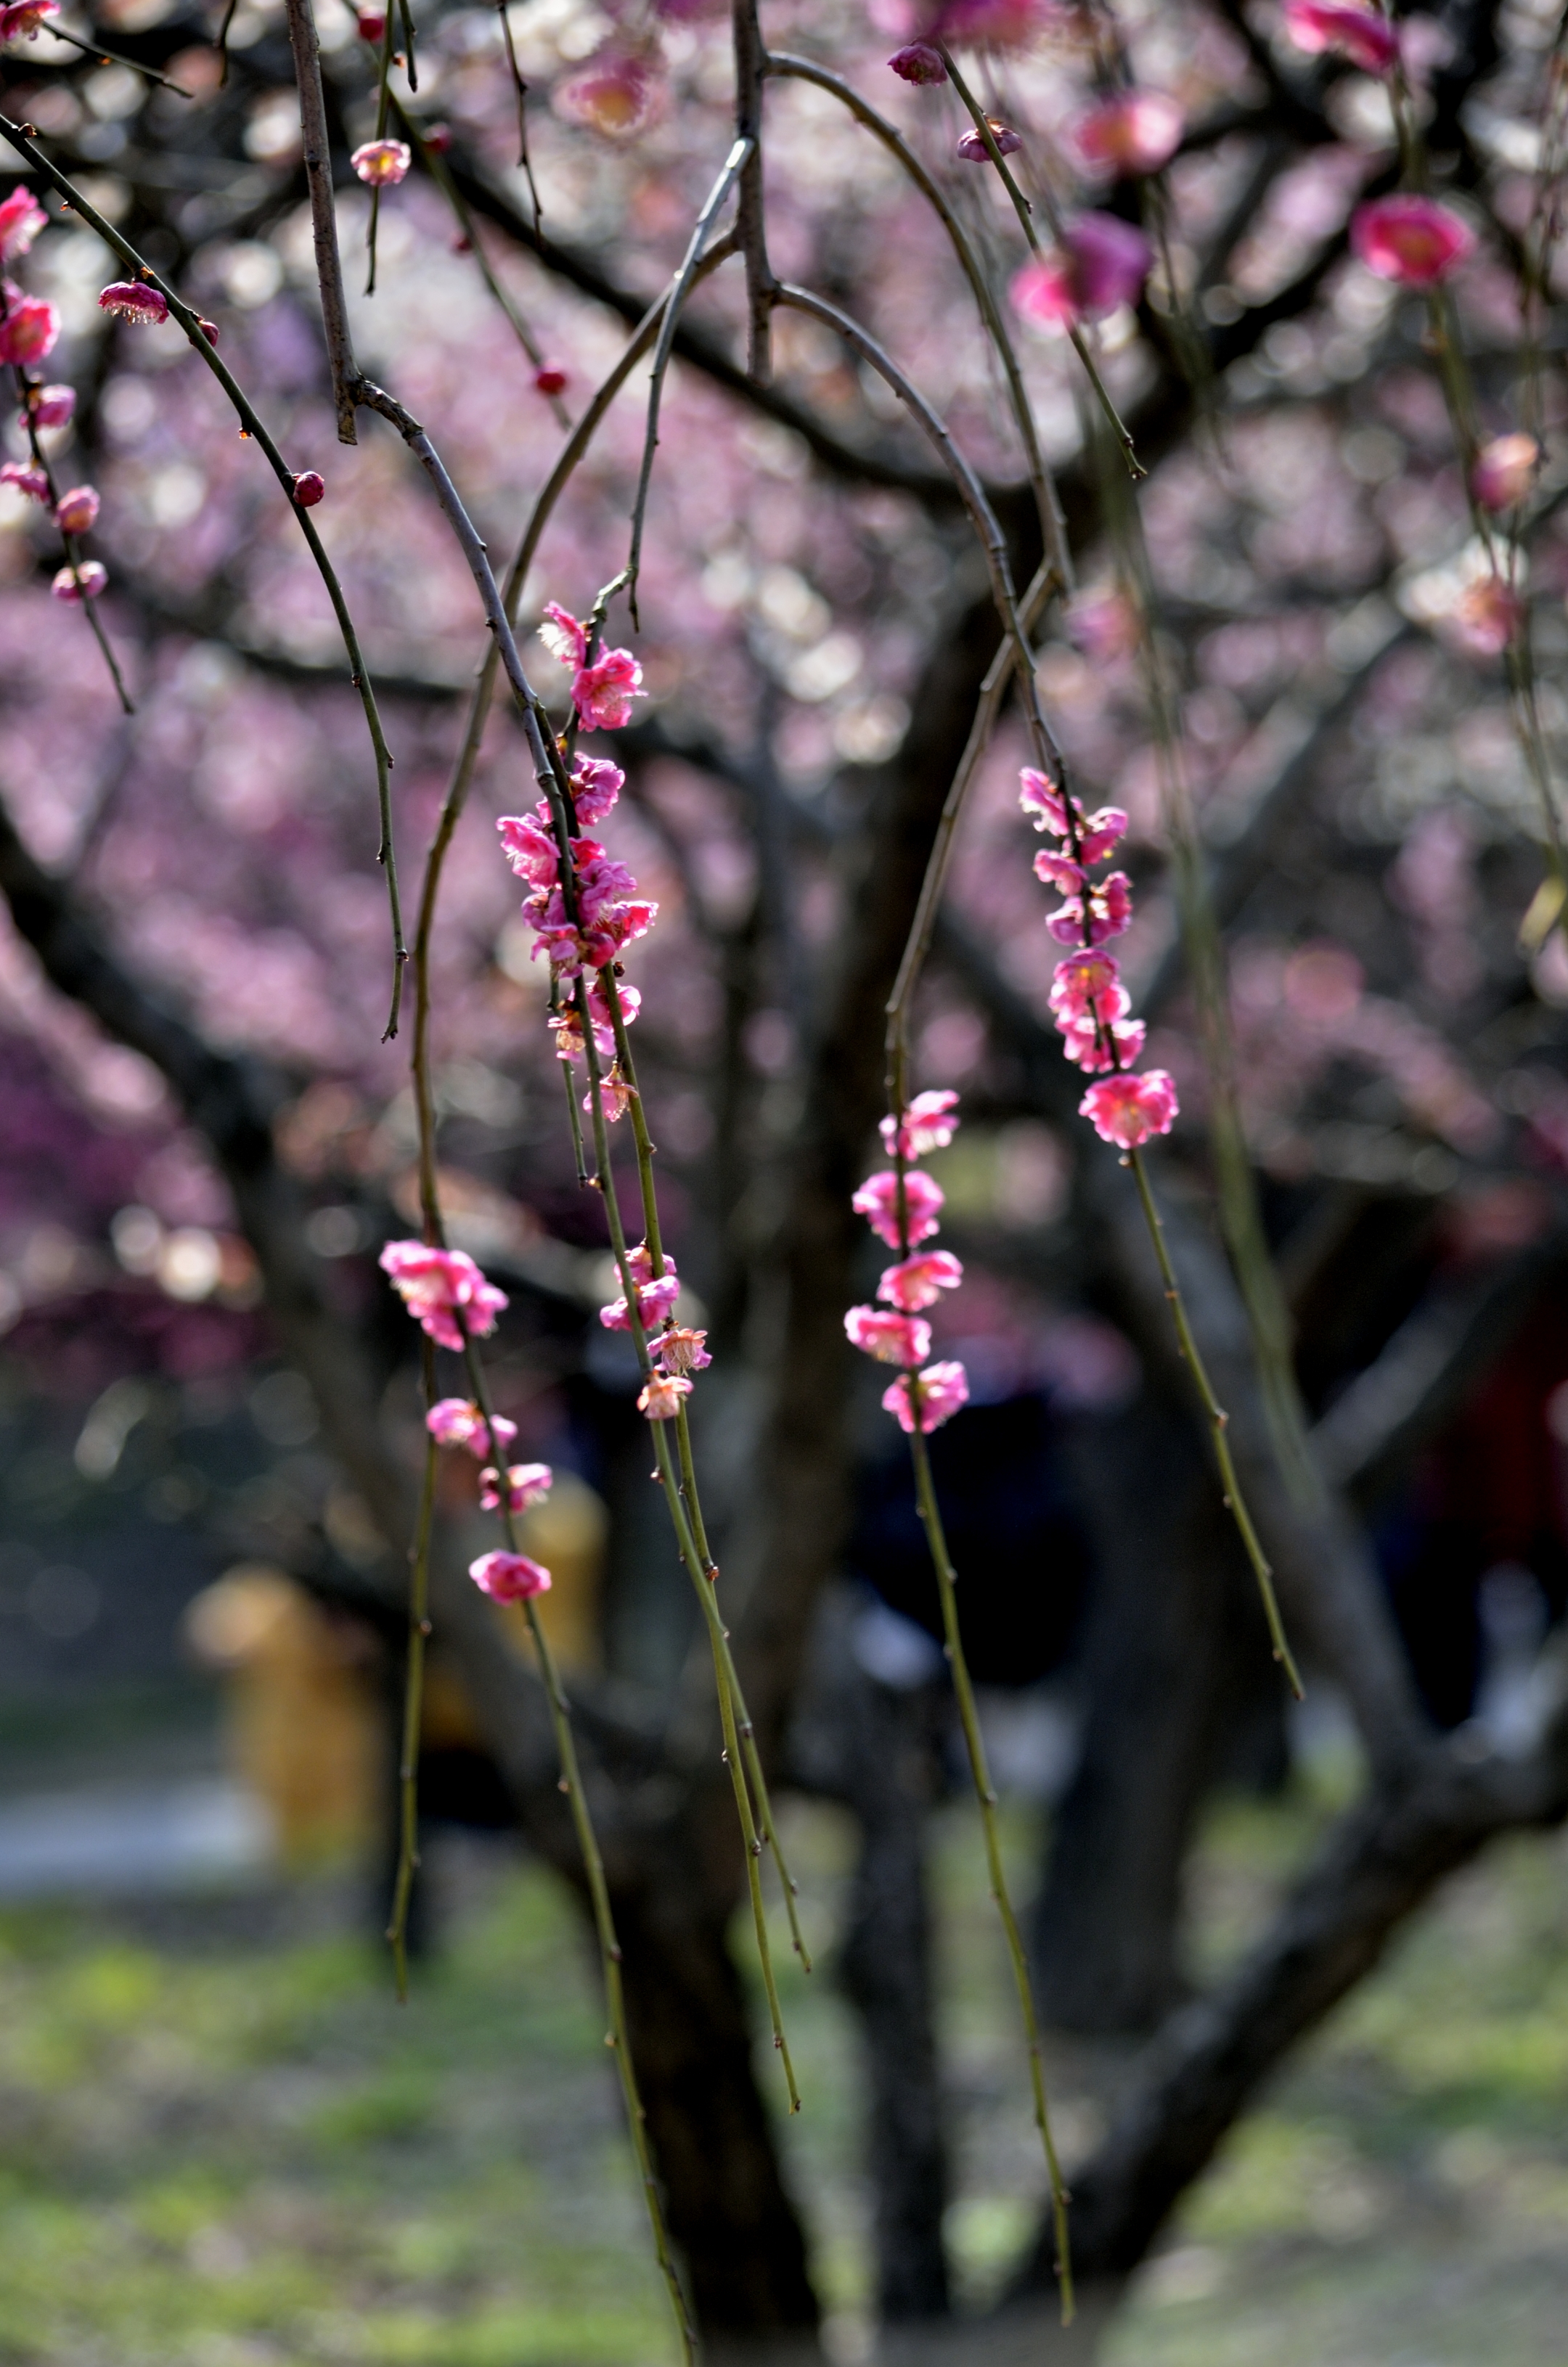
1145 399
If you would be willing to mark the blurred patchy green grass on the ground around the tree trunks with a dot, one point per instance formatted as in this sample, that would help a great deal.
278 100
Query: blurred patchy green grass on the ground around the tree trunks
229 2153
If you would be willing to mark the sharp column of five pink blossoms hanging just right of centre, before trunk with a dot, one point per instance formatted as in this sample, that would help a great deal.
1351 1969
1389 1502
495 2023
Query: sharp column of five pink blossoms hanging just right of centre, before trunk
901 1206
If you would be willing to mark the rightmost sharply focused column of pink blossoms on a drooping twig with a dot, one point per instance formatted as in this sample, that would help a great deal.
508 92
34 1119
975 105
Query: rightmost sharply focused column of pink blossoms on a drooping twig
1088 1000
